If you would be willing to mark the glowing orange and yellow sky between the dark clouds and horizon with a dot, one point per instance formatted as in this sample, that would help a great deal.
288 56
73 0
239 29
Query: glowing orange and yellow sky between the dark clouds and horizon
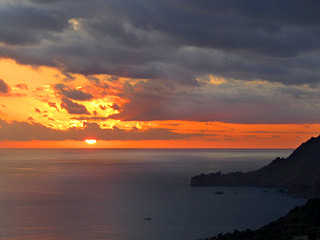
30 105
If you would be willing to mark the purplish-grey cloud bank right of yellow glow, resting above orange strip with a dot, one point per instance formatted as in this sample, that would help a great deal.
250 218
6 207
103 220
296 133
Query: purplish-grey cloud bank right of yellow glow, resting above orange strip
232 102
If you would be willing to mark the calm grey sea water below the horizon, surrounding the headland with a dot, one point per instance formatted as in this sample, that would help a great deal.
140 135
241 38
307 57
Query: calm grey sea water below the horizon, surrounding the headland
87 194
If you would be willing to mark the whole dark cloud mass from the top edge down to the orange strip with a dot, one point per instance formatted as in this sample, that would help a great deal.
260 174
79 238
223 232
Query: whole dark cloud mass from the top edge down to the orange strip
175 44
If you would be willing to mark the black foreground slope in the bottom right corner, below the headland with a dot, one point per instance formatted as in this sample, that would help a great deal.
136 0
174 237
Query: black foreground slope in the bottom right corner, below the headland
299 221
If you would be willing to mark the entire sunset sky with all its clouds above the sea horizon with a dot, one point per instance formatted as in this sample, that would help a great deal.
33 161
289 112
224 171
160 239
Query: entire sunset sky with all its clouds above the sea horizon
149 73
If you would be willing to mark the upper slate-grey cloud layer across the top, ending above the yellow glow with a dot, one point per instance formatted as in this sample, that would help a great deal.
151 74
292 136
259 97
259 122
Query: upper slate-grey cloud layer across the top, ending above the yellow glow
174 41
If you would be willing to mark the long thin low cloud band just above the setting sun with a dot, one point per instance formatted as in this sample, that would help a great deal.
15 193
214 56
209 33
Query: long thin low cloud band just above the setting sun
23 131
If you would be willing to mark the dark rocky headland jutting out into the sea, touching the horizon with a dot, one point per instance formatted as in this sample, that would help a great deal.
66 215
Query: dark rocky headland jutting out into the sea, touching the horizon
299 174
